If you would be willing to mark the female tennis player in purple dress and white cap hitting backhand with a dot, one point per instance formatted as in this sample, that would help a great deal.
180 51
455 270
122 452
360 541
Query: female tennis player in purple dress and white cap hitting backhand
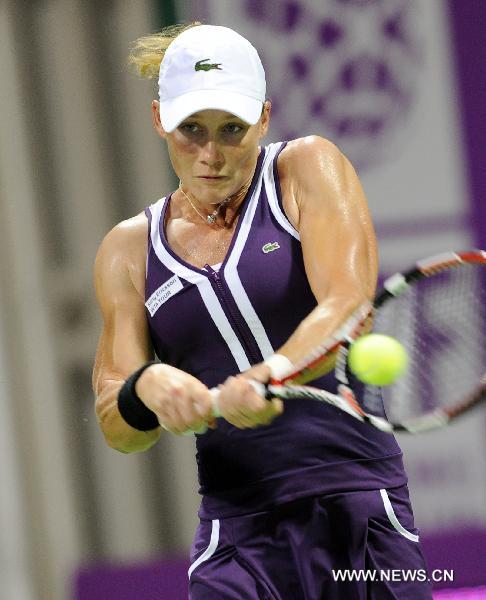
259 254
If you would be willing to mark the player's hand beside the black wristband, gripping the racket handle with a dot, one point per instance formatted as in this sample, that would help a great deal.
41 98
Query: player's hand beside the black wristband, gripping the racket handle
180 401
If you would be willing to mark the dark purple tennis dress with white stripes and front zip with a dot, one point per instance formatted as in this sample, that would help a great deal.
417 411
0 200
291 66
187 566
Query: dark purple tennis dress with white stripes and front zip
316 490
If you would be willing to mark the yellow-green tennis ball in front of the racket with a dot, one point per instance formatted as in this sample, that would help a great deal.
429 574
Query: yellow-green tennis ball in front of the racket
377 359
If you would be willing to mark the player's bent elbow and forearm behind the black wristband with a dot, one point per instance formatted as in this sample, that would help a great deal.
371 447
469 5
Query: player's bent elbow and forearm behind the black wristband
118 434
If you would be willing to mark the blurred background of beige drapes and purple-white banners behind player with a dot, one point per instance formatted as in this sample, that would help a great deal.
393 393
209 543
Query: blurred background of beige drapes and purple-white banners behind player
399 85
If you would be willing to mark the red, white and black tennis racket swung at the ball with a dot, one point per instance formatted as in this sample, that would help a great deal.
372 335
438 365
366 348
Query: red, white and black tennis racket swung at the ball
437 310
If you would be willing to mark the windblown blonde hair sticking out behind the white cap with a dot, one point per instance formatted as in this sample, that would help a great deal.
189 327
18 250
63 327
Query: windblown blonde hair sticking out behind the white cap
147 52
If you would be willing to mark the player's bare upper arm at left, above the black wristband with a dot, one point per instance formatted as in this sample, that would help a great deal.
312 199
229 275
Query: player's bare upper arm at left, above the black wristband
119 274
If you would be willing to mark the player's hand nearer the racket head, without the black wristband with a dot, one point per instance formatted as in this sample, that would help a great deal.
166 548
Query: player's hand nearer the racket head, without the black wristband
242 406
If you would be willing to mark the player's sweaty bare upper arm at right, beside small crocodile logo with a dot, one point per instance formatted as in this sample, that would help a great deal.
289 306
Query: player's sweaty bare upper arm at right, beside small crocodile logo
337 235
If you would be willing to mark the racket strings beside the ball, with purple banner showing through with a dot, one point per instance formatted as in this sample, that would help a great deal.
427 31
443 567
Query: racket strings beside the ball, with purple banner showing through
441 321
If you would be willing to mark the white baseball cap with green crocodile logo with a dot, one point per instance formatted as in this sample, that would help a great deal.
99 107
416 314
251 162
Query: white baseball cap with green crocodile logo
209 66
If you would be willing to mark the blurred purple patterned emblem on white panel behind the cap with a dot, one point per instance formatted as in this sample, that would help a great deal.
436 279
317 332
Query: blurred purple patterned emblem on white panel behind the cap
347 69
